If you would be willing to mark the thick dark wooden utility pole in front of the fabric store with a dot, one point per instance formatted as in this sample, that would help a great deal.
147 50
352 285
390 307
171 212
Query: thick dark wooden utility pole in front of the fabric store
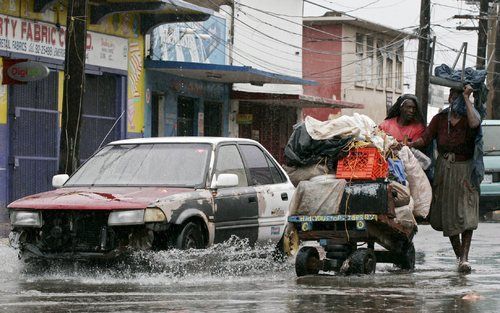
74 84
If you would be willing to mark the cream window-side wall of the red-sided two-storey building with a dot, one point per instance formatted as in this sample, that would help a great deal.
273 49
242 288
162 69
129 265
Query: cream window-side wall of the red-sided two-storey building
377 99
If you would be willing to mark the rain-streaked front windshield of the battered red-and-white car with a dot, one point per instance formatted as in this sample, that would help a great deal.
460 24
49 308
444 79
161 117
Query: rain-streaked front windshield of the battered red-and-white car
165 164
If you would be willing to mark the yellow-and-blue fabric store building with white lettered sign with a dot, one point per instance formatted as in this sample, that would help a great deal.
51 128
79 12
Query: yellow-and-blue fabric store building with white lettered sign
114 93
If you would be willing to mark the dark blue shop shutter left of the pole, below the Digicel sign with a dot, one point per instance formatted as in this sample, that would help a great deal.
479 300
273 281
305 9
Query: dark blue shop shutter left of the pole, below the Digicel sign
33 136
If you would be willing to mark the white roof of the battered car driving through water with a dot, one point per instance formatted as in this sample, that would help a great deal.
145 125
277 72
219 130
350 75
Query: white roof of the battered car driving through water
209 140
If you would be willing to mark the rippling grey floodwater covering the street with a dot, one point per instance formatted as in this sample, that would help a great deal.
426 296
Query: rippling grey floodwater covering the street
236 278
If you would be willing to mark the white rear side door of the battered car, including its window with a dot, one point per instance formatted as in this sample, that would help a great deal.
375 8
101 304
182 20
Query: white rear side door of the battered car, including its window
274 191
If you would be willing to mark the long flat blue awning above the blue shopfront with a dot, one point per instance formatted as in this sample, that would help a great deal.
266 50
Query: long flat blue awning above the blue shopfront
223 73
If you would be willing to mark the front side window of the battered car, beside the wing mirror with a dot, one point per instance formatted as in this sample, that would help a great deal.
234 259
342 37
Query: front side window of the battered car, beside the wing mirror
229 162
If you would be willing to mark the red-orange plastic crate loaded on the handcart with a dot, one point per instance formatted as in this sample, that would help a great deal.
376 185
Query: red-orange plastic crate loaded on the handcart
362 164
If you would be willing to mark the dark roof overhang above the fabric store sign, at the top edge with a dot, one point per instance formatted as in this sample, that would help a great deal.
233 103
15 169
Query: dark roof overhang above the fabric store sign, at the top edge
152 12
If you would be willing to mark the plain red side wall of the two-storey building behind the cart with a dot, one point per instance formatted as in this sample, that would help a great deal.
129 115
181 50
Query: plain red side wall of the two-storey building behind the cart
322 62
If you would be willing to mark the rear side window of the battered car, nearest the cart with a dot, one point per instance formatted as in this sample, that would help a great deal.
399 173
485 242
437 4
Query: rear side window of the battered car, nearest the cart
260 173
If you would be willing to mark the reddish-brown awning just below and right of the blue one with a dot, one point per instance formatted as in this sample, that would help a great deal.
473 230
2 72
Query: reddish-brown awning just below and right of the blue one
299 101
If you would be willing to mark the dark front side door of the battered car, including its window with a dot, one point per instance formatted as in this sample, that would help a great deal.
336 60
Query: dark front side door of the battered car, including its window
236 208
